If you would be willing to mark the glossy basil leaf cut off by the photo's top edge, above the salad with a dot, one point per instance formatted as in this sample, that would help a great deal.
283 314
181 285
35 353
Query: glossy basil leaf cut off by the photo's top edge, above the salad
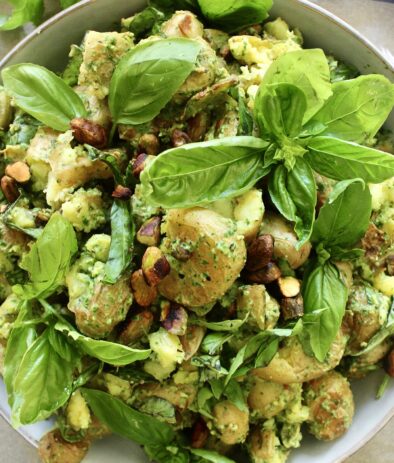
232 15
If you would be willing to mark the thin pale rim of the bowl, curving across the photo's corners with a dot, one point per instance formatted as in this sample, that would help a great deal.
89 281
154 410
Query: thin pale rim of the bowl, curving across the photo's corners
303 3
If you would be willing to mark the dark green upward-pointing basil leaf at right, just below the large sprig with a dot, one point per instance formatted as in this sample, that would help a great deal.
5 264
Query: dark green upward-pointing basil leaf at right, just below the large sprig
344 218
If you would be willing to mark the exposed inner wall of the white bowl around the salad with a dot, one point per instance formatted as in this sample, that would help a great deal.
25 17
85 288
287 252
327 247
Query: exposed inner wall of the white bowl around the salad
48 45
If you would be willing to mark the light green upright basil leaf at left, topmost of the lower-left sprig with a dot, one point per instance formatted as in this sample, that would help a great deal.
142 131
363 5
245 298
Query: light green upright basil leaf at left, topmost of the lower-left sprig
48 262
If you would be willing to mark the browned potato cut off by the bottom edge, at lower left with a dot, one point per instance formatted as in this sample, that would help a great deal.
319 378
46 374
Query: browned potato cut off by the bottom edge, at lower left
52 448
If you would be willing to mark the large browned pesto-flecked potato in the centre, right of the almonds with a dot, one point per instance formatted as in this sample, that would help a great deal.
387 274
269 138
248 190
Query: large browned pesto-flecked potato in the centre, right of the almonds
218 256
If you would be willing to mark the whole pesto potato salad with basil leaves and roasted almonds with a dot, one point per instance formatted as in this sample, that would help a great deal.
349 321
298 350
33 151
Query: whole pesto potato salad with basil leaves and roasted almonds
196 237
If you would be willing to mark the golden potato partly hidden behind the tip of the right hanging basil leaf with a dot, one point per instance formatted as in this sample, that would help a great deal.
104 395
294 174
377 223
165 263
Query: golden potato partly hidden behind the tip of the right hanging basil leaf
292 365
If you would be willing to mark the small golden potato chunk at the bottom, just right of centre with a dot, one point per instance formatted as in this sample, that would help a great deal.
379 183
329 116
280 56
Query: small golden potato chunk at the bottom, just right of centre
231 422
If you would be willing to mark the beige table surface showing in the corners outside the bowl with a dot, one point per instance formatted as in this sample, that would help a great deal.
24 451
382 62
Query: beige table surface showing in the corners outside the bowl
374 18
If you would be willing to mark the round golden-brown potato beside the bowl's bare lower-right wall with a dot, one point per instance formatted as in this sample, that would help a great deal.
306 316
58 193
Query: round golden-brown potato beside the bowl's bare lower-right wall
331 405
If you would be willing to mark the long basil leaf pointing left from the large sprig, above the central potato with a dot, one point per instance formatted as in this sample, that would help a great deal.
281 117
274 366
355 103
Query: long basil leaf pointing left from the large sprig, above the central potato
199 173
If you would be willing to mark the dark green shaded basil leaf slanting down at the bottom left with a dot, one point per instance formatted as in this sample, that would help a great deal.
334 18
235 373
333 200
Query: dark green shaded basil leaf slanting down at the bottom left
127 422
